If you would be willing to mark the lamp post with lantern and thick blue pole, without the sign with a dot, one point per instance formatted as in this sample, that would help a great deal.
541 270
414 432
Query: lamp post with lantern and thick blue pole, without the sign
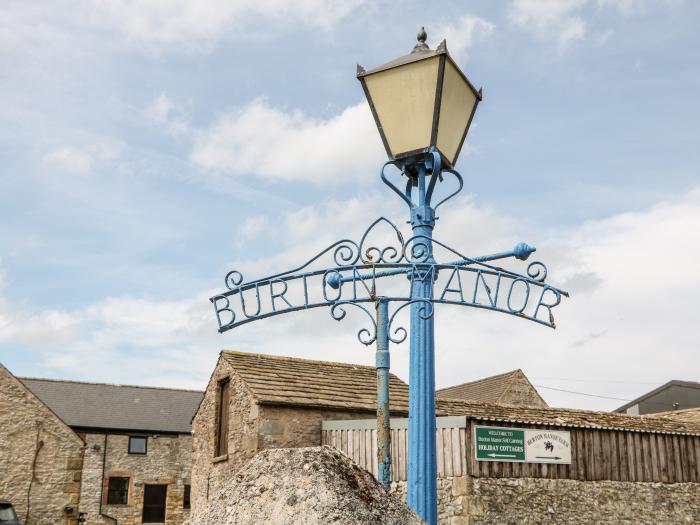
423 105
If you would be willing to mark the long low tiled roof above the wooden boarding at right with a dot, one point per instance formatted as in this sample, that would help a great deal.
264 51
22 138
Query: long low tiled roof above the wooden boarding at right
567 417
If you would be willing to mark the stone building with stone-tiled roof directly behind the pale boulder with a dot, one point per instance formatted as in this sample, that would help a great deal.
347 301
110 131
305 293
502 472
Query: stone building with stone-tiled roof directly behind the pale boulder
255 401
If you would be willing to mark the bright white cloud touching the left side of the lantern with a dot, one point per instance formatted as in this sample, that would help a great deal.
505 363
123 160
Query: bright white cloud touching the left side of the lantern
266 141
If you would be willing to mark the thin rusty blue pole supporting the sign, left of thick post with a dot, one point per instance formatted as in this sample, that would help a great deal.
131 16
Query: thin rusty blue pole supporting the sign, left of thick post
383 411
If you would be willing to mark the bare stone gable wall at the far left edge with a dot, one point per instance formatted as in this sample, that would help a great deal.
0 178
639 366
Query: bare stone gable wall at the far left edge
40 458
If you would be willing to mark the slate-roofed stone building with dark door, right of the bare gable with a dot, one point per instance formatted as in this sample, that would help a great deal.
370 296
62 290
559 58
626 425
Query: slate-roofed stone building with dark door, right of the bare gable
138 444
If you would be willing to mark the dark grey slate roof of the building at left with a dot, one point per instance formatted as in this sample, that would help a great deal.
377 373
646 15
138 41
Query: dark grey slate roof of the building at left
117 407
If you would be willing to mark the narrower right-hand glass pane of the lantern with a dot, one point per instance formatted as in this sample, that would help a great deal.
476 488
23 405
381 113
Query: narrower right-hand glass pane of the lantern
458 100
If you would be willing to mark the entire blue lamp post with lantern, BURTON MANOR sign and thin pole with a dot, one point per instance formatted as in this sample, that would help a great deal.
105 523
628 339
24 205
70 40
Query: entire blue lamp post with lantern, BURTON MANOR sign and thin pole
423 106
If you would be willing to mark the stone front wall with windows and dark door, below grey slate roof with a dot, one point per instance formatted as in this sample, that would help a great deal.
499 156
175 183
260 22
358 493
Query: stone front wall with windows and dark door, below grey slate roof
167 462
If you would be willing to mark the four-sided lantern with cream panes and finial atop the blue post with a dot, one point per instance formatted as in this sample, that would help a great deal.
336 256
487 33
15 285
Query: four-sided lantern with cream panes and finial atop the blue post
420 101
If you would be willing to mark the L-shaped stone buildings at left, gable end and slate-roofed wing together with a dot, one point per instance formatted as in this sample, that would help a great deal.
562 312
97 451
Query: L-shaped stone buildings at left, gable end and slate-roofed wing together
113 453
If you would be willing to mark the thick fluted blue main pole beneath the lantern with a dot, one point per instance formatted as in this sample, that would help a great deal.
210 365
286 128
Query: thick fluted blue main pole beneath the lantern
422 467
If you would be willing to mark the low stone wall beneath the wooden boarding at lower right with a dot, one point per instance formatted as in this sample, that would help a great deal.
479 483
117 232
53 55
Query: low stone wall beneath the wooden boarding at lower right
479 501
